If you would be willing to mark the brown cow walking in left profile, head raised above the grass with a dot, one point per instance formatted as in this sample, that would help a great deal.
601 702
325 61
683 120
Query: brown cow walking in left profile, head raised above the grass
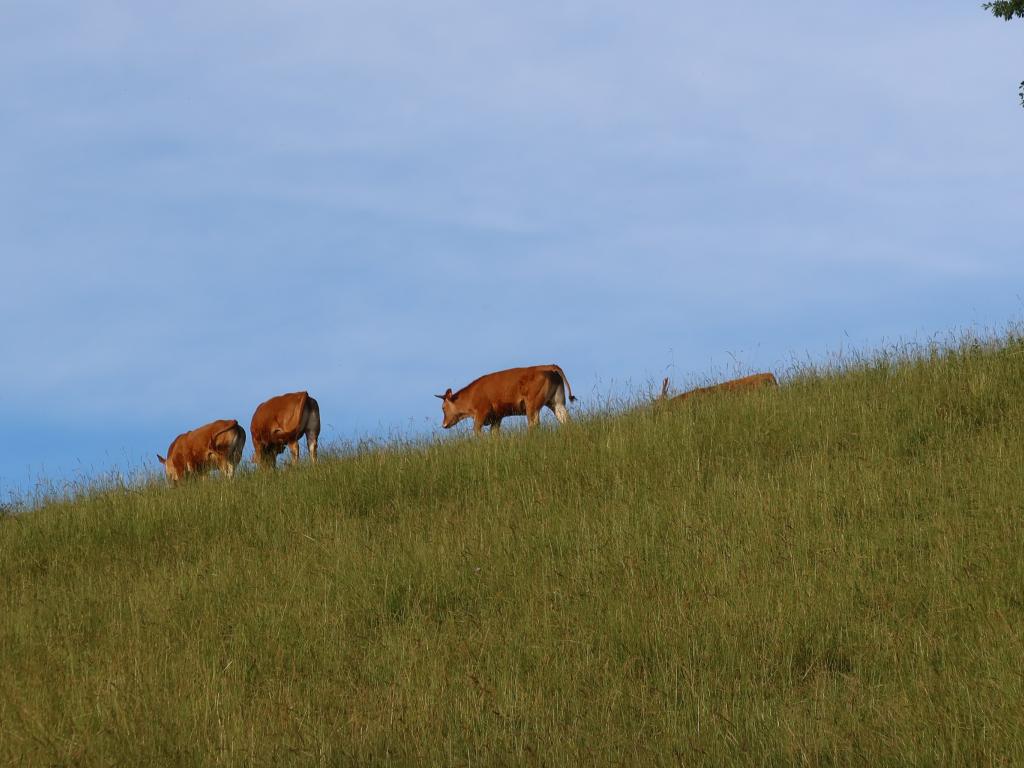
519 392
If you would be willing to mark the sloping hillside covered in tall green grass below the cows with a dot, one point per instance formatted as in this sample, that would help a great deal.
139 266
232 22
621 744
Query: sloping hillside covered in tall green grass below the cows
831 573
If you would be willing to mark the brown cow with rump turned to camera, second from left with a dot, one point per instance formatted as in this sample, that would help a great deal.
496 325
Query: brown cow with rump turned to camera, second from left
283 421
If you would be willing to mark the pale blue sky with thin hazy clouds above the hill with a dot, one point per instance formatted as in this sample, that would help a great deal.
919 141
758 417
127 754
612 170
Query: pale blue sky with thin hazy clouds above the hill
203 205
